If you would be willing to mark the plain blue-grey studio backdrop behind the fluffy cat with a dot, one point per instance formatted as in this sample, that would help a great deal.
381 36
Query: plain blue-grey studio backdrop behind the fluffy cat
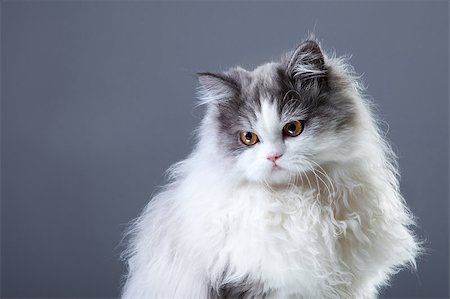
98 100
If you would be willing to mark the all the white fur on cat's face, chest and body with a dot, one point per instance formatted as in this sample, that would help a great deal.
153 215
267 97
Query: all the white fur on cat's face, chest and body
337 231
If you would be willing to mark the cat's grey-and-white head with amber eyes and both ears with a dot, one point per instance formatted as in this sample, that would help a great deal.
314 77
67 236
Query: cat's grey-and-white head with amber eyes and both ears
281 119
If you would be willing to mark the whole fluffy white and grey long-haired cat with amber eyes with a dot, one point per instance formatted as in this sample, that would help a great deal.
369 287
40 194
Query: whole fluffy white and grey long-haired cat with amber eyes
290 192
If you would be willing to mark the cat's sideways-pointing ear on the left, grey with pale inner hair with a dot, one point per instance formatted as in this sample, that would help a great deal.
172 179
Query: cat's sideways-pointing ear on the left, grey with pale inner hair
215 87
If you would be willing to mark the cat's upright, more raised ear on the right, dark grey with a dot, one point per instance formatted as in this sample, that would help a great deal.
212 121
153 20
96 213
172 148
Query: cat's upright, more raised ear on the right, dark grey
306 65
